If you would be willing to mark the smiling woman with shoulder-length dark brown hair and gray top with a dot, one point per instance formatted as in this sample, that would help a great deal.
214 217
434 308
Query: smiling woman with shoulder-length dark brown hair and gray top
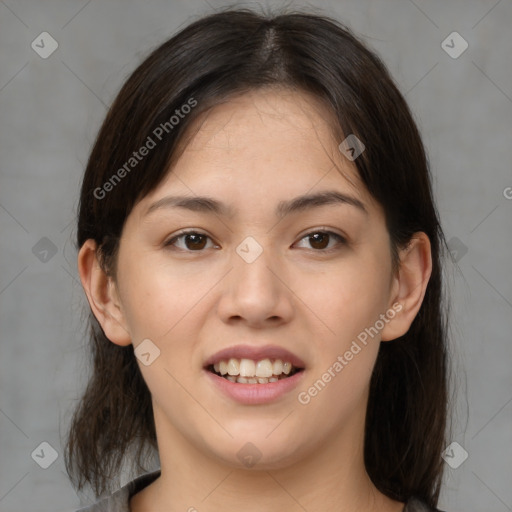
260 249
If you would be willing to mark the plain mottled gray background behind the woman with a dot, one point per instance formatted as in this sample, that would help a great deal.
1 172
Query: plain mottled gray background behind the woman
50 111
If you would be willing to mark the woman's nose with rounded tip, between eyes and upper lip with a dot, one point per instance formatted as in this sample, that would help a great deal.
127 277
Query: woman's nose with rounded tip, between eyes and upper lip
256 293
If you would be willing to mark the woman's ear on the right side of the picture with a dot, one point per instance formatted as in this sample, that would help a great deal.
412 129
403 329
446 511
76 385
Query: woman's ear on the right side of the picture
409 285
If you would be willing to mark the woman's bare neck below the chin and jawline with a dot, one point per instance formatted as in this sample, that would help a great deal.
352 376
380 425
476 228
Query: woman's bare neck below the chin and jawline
331 478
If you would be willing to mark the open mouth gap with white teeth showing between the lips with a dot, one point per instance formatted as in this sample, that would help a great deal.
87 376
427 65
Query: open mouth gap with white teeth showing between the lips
251 371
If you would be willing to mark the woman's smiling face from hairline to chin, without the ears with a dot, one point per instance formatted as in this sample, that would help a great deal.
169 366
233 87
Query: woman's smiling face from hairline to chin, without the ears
269 280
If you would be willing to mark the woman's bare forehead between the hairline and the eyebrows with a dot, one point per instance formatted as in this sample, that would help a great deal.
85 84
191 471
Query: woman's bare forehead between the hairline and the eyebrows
261 146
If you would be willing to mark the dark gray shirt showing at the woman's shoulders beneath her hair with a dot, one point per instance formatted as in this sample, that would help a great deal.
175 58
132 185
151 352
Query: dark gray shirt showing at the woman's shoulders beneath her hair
120 500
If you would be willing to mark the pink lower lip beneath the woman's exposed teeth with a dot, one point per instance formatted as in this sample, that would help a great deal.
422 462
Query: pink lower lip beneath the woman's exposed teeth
254 394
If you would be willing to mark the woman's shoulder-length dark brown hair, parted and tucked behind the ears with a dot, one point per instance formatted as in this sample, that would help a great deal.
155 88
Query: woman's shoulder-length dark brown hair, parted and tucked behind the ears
211 60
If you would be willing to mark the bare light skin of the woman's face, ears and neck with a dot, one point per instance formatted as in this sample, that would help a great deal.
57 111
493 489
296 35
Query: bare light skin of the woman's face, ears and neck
251 153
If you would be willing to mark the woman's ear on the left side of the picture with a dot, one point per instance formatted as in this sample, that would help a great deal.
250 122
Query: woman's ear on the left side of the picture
102 295
